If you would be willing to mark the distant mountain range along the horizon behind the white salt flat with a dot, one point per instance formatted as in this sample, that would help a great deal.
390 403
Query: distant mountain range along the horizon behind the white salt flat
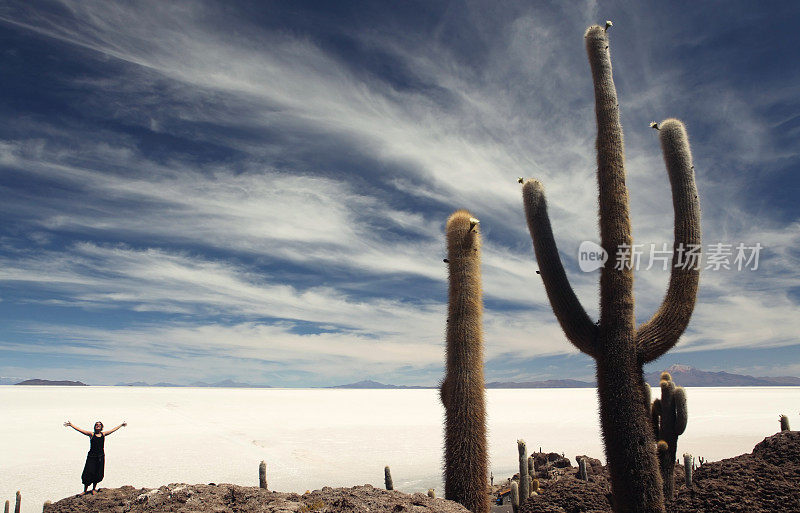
683 375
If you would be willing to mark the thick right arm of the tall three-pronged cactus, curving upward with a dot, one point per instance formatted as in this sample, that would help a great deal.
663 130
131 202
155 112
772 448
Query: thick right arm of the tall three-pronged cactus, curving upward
661 332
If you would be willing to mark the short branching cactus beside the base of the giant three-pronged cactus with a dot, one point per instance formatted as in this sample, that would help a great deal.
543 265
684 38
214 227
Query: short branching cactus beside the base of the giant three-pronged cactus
669 422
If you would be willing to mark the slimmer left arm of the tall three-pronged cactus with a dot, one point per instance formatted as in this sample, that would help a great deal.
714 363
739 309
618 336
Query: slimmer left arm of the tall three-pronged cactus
577 326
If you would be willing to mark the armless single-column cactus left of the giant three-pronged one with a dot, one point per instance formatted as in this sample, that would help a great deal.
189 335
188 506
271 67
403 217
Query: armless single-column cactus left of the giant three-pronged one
462 391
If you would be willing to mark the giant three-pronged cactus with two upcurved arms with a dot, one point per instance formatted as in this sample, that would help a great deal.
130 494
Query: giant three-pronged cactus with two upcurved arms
618 347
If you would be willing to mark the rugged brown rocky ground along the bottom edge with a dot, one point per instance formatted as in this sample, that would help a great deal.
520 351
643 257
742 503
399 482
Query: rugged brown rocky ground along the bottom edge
766 480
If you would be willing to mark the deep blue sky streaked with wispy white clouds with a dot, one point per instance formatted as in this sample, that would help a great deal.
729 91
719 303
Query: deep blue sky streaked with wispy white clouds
257 191
